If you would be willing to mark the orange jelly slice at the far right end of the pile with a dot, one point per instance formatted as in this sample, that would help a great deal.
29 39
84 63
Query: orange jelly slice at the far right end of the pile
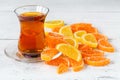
105 45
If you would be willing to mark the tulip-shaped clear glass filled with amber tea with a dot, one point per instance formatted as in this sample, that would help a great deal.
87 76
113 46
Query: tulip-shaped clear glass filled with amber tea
32 36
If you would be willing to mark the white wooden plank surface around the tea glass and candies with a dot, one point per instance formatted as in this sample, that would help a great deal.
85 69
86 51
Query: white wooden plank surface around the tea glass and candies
103 14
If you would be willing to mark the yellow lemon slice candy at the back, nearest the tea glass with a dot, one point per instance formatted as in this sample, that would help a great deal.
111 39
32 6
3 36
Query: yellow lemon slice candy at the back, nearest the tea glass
54 23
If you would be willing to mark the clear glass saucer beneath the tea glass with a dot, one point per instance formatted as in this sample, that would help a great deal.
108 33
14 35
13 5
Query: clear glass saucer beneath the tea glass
12 51
